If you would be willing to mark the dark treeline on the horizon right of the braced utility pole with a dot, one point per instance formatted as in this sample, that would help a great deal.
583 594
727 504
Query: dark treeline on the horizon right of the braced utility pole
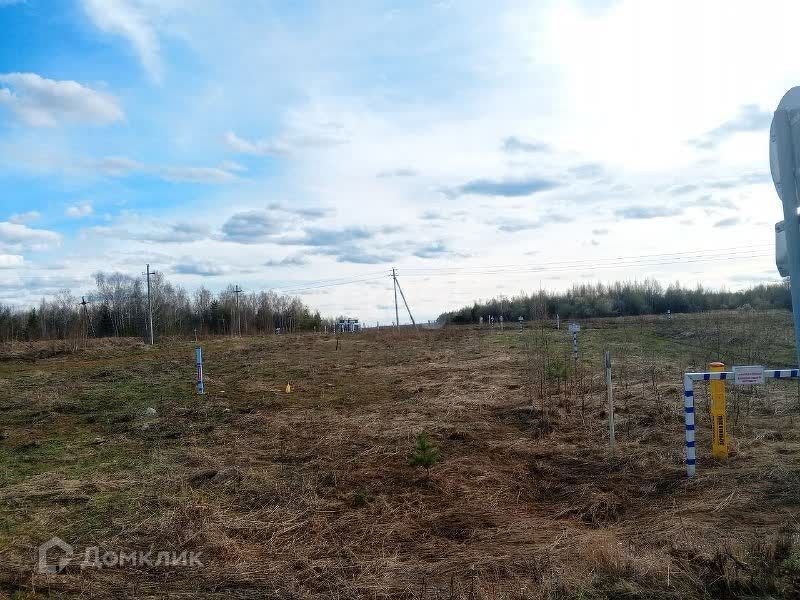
620 299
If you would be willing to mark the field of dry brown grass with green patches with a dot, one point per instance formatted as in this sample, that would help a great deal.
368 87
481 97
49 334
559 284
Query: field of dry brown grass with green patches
310 494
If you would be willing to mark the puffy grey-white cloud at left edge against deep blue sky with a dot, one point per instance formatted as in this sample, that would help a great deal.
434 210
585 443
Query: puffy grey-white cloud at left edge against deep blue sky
41 102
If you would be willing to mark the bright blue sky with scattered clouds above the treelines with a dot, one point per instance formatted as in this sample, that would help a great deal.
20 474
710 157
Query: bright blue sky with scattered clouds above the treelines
480 148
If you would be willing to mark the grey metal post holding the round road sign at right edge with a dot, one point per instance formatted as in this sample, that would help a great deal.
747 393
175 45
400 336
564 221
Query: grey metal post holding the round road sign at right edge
786 166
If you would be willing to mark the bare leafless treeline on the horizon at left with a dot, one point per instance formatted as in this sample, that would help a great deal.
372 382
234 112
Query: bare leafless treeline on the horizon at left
117 307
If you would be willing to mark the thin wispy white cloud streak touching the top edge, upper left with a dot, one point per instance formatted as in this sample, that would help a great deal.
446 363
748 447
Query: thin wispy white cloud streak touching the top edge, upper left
131 20
